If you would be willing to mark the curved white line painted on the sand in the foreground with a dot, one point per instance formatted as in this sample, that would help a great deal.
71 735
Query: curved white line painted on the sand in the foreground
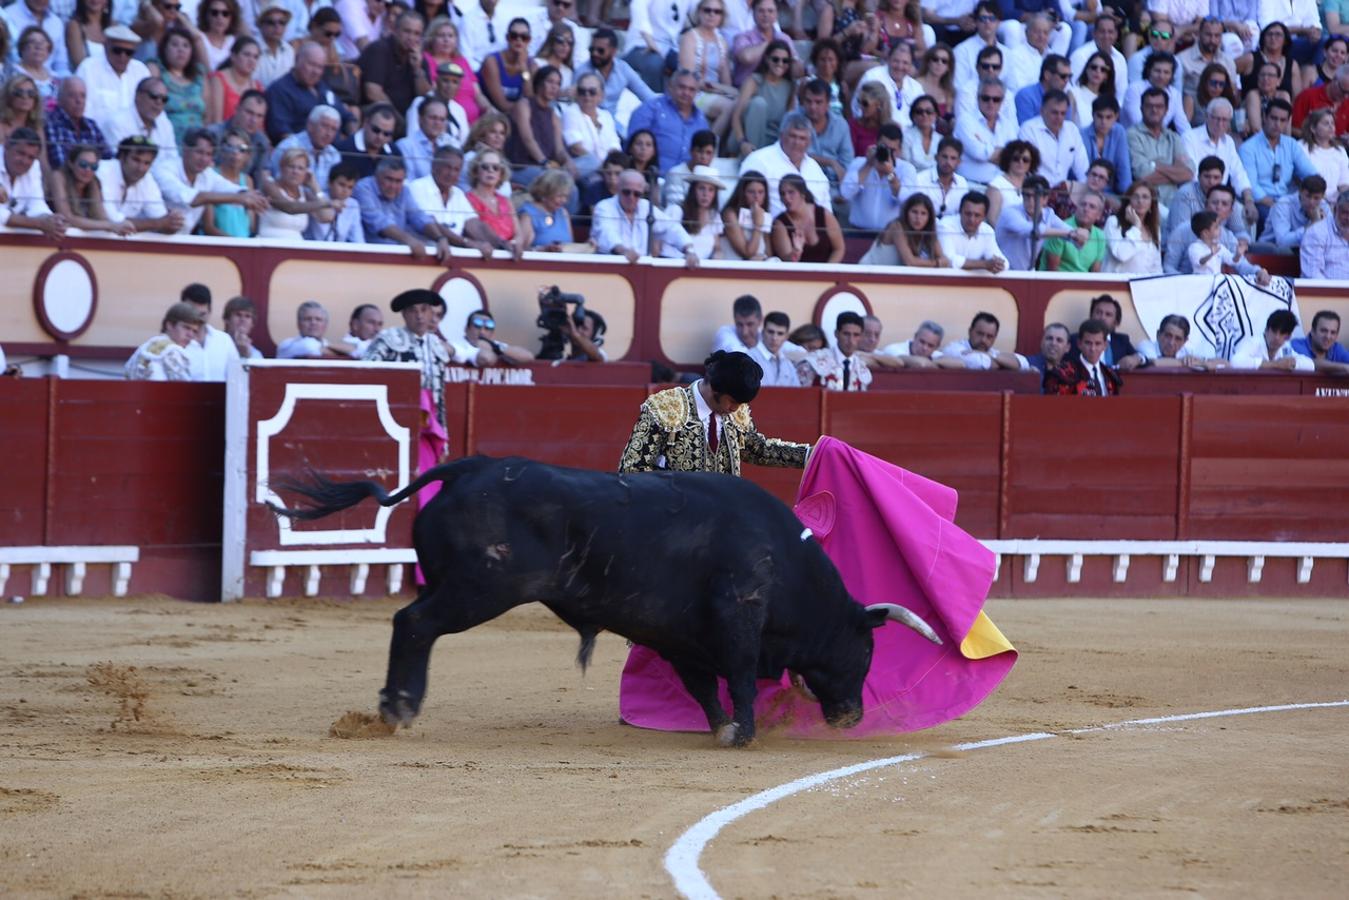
683 856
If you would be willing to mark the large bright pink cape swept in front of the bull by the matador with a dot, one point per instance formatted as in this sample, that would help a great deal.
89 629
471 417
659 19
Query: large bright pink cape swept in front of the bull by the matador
891 535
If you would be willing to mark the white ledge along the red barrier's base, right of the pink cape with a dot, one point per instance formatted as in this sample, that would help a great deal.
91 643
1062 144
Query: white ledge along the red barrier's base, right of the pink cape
1255 553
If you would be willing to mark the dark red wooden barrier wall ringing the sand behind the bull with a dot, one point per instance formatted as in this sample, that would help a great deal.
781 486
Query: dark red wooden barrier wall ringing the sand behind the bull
118 463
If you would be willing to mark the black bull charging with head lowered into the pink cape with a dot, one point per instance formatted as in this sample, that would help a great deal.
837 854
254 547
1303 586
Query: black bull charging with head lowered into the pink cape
710 571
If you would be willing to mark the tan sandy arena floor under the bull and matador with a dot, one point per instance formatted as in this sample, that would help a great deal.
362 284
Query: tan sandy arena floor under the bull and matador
519 781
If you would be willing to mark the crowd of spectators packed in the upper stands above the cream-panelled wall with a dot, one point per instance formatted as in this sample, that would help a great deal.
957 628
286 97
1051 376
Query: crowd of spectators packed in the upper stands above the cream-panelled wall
1072 136
